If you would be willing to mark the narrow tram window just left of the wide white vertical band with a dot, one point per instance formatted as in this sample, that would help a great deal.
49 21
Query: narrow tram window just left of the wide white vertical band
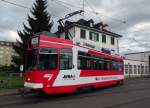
66 59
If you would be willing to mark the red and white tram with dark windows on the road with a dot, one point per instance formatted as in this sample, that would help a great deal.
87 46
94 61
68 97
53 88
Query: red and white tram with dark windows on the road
57 65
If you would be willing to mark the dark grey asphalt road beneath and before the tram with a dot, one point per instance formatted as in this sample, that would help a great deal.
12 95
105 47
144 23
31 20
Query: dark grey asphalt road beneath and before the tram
134 93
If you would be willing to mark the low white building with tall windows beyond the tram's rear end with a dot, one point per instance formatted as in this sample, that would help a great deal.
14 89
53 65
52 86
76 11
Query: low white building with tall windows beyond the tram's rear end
137 64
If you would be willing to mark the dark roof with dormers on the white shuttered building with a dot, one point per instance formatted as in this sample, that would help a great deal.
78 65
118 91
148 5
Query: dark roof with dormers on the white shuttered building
87 24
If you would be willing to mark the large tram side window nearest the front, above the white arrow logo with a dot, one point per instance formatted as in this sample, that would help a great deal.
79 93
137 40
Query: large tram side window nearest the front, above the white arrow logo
48 58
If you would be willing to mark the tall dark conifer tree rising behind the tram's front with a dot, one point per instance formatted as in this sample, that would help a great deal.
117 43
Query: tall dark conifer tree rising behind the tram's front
38 22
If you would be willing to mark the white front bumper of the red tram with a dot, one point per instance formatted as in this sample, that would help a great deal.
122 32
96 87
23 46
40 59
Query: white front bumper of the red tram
33 85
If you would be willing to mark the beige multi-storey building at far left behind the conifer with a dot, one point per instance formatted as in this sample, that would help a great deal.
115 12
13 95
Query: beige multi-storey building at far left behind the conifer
6 53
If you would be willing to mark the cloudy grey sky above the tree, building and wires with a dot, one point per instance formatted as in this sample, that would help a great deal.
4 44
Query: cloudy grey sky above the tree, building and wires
136 13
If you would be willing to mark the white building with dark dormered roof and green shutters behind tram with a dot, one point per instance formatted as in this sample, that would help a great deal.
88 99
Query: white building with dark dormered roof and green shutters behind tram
90 34
